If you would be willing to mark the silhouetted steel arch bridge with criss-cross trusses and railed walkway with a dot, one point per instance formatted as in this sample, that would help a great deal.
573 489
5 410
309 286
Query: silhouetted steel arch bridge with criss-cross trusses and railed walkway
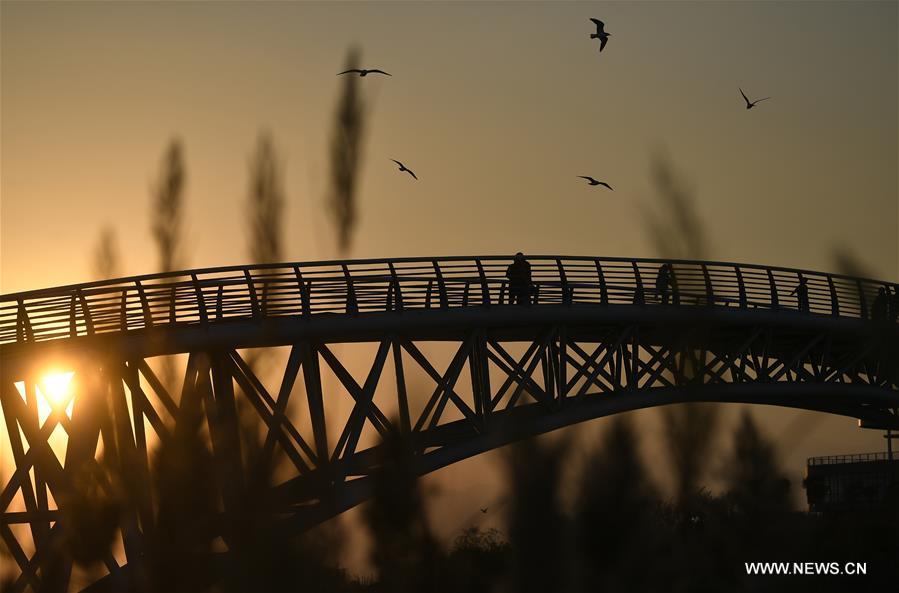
326 359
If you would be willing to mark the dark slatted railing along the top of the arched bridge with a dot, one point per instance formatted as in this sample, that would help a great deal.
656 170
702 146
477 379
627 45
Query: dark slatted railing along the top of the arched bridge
367 286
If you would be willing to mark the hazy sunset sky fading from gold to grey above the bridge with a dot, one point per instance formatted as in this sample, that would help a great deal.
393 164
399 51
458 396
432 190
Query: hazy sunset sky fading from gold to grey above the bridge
496 106
